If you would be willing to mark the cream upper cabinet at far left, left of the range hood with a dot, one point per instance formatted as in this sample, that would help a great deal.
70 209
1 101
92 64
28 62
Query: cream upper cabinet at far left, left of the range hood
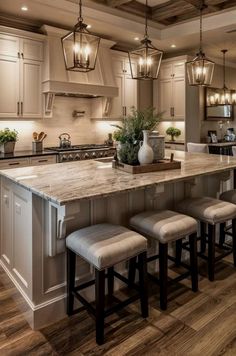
21 77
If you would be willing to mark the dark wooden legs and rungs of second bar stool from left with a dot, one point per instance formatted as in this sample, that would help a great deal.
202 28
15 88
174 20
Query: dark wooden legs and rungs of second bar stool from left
163 268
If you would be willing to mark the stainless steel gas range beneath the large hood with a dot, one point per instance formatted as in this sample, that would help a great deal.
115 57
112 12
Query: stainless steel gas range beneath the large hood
82 152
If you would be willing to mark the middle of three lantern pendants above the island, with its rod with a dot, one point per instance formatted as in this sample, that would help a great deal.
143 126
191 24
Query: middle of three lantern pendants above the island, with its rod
148 57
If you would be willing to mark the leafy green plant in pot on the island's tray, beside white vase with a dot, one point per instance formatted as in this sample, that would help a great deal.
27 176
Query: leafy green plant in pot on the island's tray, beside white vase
130 133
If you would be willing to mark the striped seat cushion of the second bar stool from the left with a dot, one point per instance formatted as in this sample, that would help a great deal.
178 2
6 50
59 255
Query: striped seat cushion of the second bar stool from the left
164 225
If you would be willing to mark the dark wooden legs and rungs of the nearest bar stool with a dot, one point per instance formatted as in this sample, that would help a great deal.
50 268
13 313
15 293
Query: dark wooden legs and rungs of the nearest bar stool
99 312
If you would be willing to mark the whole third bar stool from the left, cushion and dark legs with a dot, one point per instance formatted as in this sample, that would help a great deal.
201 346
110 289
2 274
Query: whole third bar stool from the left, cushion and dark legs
210 212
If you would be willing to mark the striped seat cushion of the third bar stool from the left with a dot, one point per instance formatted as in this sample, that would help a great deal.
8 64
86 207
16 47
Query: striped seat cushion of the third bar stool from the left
208 210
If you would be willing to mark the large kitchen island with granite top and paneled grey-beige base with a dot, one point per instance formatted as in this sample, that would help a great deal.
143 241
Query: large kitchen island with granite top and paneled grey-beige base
41 205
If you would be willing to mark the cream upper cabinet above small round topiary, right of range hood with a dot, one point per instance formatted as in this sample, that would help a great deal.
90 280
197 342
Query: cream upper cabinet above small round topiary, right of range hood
172 90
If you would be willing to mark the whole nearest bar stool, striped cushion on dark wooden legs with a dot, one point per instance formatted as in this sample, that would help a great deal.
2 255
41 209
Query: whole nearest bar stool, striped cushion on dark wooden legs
103 246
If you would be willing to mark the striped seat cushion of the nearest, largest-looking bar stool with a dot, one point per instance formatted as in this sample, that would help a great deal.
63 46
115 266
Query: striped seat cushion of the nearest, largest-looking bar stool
105 245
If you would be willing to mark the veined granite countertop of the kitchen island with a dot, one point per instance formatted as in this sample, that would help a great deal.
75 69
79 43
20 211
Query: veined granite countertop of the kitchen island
62 183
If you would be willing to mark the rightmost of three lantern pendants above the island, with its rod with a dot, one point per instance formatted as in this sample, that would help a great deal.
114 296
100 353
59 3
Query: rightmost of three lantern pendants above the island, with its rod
200 70
